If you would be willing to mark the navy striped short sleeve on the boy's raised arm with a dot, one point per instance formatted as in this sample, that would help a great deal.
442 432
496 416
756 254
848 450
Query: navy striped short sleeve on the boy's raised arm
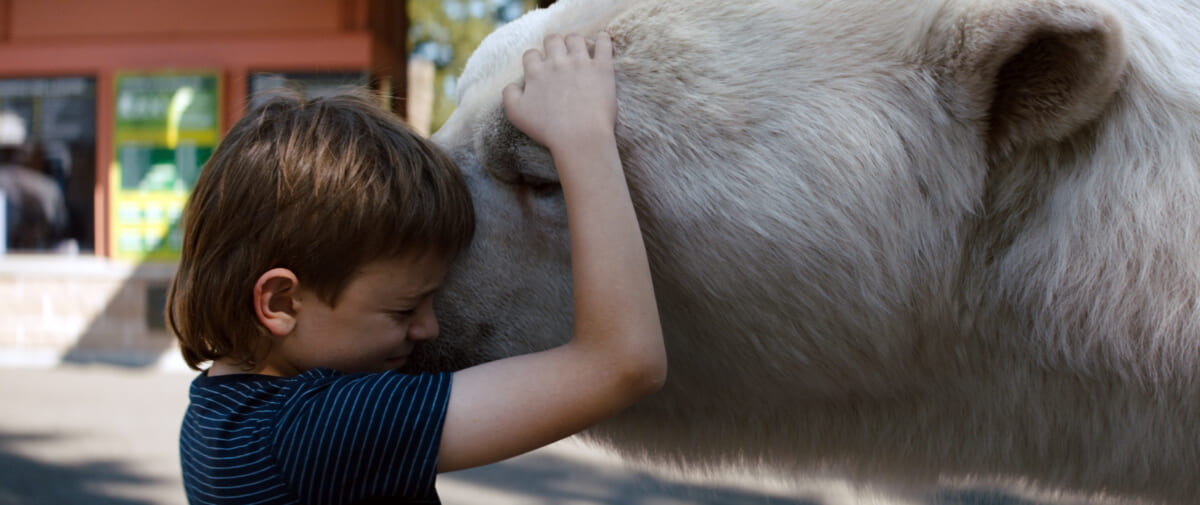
351 438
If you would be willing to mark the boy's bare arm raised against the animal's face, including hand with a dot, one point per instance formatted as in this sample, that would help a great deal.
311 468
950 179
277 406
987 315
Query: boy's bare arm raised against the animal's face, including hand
616 354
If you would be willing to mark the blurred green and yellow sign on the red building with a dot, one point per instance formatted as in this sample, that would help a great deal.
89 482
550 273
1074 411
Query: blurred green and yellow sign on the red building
167 125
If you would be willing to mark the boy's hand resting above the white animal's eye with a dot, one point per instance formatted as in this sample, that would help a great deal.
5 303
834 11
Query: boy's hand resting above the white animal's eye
569 97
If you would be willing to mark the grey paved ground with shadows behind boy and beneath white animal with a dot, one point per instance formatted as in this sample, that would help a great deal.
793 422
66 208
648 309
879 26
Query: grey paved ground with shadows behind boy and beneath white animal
107 436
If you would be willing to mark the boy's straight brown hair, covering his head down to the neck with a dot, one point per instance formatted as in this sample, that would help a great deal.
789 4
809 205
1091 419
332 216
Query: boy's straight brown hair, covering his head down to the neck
319 187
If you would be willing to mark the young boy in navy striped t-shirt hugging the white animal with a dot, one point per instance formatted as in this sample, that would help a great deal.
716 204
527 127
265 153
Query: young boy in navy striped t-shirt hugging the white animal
315 241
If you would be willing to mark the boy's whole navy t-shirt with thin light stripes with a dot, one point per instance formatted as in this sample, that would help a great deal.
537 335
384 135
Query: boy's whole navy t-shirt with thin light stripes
322 437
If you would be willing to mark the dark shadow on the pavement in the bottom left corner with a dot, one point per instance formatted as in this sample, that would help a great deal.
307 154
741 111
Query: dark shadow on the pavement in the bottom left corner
27 482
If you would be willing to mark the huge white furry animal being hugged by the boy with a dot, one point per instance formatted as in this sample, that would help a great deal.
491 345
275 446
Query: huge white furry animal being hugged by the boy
903 243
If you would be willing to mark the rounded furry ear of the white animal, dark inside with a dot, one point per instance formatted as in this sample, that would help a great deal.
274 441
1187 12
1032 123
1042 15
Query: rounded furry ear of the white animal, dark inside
1037 70
